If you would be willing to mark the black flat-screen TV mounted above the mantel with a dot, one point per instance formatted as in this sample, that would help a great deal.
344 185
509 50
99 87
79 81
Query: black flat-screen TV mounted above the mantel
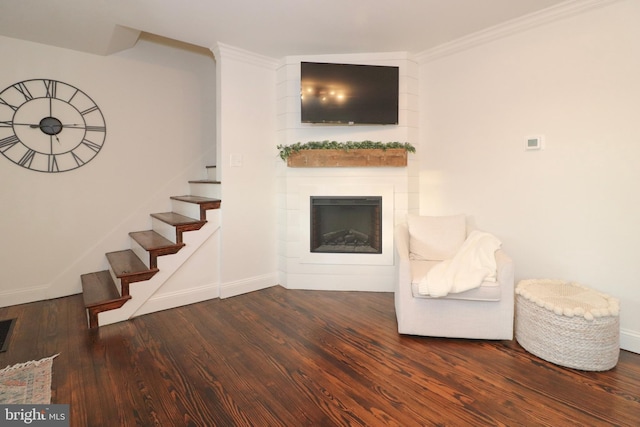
347 94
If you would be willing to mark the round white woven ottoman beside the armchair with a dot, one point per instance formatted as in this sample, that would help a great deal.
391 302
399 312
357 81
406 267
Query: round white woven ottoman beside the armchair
568 324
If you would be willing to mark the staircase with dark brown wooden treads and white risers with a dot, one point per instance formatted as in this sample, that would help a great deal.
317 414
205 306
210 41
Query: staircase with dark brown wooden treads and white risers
110 289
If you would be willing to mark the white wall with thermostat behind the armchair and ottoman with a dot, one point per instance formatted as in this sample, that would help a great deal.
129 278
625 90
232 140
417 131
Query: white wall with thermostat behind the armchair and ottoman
572 210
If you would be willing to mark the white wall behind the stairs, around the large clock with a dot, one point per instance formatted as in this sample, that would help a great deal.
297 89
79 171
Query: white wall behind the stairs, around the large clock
158 102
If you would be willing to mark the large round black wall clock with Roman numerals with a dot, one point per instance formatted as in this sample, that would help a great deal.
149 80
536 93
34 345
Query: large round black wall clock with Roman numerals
49 126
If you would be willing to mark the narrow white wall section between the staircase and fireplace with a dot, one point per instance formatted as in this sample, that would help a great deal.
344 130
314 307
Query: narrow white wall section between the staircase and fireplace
246 120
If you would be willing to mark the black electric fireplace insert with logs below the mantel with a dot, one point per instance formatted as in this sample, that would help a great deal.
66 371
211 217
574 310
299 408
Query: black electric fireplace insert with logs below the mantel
346 224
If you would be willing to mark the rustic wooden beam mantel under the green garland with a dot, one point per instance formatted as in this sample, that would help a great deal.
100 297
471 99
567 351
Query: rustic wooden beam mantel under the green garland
362 157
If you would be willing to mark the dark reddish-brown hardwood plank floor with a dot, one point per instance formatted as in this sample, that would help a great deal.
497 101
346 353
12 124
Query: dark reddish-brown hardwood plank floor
281 357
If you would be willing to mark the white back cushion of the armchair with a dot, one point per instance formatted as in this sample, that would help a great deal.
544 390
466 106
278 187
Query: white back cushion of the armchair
435 238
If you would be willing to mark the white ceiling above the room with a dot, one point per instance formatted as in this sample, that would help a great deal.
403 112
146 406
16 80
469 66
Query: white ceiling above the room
274 28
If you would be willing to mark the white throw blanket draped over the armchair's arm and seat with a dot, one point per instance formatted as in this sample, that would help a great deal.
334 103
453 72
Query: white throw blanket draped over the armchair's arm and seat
474 263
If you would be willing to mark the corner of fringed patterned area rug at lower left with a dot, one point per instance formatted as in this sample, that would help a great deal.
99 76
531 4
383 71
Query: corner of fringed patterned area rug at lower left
27 383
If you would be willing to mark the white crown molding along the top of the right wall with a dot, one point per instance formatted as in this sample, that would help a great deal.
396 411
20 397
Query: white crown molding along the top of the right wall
514 26
